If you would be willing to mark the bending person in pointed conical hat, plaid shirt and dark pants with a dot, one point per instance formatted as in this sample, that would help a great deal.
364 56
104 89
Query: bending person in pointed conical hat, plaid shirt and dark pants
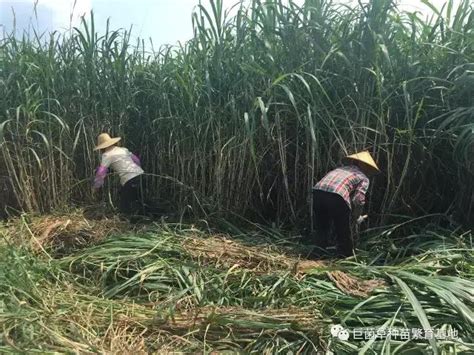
340 194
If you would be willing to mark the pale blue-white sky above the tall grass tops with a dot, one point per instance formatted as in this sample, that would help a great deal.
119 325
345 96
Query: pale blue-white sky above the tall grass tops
164 21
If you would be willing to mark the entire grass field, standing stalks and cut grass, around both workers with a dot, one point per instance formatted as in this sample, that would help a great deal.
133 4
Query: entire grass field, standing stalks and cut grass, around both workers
233 128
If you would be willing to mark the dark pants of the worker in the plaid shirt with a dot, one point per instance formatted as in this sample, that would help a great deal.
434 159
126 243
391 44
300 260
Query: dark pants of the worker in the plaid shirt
331 209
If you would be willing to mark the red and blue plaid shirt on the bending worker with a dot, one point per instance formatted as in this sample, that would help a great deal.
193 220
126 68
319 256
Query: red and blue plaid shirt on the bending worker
347 181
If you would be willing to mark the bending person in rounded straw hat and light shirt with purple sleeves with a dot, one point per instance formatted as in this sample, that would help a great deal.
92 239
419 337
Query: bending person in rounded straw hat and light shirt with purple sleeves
128 168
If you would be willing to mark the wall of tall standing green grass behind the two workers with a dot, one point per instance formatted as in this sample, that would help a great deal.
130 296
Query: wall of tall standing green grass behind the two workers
246 115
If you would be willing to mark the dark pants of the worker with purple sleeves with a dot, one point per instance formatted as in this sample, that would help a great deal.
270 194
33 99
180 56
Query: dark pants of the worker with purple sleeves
133 198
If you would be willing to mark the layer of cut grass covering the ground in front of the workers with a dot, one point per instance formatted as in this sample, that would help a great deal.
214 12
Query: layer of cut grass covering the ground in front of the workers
170 287
